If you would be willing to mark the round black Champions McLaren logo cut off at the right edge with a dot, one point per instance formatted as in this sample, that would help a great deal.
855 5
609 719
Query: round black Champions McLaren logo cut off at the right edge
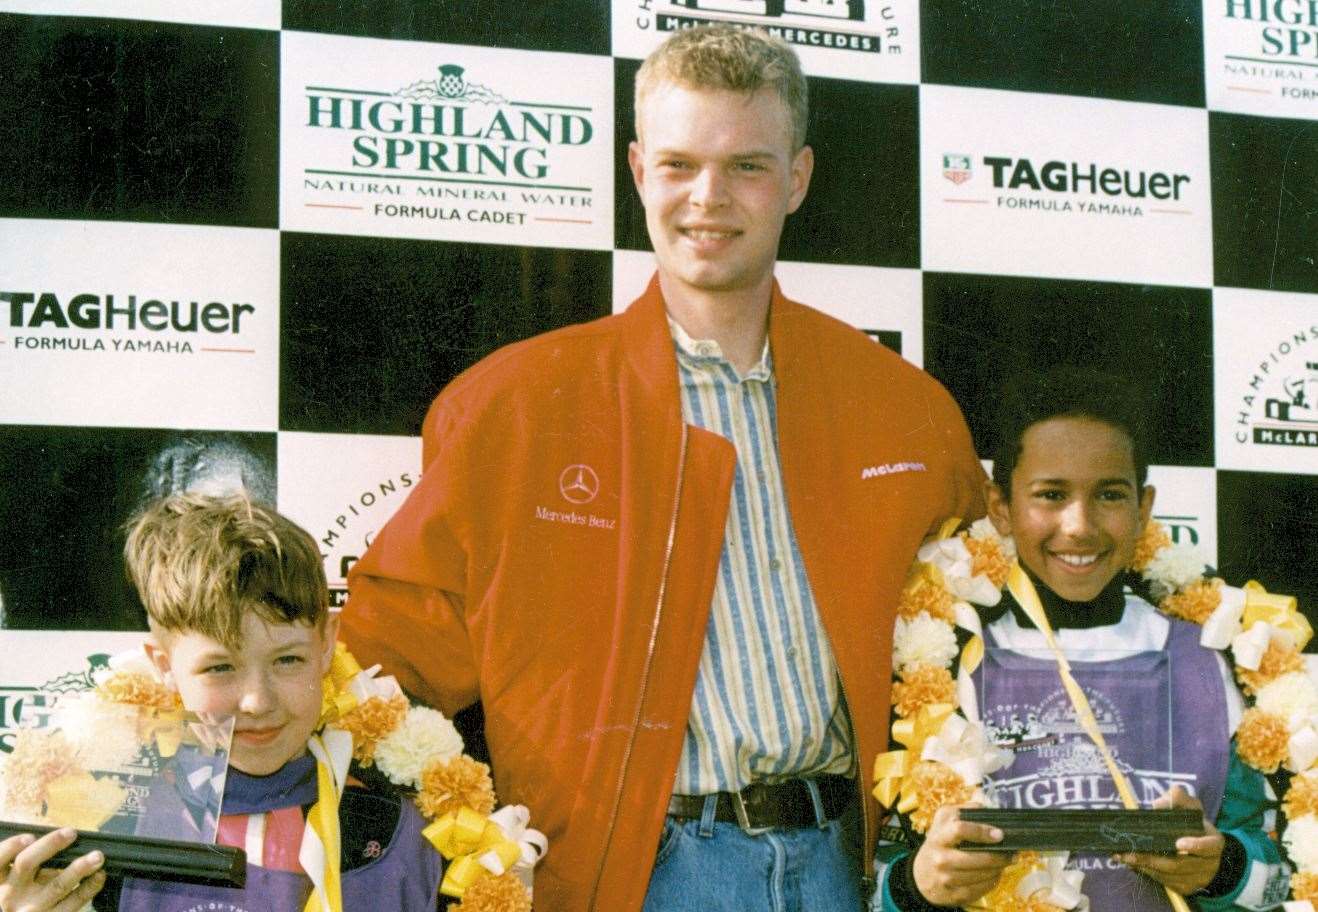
1282 407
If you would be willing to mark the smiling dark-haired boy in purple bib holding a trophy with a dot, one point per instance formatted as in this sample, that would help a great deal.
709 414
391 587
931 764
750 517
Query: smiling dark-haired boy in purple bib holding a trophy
1071 488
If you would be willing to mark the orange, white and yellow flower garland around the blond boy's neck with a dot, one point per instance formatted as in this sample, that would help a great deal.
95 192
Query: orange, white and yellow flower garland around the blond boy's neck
491 853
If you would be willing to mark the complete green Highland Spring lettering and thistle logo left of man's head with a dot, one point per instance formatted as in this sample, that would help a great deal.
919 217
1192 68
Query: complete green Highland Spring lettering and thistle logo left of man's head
459 150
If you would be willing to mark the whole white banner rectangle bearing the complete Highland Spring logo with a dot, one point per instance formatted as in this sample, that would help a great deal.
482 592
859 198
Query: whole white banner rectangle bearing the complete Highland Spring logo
405 139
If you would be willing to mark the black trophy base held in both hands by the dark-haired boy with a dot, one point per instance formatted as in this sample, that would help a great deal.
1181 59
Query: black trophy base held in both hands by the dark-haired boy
1104 832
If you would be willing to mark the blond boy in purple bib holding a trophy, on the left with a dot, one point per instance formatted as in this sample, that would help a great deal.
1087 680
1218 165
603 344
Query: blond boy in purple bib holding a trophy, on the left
241 625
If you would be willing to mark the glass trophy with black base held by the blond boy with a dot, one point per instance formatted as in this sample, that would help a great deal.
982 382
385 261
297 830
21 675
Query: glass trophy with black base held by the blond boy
144 785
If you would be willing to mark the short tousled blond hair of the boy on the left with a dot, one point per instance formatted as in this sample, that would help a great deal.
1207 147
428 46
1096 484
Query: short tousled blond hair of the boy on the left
201 563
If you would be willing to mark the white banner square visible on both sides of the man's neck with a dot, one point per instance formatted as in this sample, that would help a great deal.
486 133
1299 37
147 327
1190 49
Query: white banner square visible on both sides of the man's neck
885 304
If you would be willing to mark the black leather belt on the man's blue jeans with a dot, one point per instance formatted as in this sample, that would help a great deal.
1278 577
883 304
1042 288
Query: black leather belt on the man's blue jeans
761 807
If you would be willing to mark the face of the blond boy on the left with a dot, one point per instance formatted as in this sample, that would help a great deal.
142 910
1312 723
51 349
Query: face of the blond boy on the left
271 686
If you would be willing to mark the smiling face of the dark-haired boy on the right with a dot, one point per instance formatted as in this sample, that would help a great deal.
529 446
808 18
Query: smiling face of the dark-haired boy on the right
1074 511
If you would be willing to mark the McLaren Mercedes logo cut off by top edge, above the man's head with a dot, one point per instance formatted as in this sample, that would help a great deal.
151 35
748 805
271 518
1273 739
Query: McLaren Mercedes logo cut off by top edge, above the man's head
848 26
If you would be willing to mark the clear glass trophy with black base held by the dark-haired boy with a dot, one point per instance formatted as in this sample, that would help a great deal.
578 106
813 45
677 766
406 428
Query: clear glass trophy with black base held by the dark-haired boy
1059 793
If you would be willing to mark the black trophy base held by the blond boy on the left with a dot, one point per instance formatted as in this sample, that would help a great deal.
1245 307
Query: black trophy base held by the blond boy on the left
152 860
